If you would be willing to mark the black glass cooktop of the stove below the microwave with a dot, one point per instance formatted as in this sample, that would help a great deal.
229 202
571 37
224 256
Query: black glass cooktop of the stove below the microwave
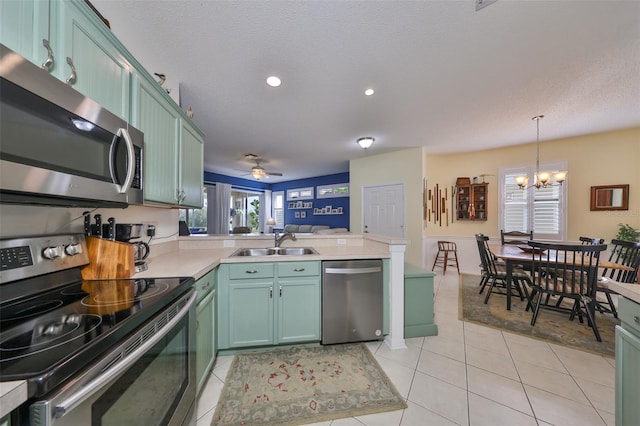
47 337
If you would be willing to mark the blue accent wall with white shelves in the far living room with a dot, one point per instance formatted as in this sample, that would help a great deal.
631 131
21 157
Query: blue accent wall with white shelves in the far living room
332 220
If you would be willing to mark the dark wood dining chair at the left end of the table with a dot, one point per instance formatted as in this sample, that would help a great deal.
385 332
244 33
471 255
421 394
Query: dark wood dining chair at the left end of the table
495 274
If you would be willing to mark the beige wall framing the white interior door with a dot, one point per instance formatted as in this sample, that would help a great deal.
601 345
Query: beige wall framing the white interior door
405 167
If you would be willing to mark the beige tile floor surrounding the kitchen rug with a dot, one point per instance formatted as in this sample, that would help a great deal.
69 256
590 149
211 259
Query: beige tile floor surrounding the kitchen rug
474 375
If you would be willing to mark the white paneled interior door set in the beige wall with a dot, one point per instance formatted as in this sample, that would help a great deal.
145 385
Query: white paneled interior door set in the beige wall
383 210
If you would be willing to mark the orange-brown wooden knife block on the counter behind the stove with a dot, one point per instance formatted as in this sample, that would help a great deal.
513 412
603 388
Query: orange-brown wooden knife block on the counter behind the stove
108 260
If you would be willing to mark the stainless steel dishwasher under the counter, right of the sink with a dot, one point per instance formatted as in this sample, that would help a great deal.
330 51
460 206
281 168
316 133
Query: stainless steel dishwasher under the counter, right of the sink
352 307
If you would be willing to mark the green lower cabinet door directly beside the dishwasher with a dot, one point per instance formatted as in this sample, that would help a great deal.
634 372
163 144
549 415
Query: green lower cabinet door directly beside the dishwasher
298 310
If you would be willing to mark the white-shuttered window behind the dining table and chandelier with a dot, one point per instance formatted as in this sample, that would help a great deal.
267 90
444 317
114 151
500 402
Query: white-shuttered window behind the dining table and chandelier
542 210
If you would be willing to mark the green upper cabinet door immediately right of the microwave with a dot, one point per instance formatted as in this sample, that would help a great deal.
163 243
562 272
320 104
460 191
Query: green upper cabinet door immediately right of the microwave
160 122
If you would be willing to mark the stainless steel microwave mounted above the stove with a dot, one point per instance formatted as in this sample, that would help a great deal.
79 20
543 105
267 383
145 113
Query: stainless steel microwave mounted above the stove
58 147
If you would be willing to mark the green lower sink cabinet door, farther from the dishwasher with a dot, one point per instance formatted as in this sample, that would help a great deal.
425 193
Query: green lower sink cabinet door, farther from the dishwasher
250 313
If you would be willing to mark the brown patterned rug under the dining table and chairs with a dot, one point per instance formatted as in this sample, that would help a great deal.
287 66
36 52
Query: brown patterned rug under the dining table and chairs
551 326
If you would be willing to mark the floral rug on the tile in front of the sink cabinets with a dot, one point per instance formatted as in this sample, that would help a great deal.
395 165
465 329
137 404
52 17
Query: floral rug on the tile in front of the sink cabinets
305 385
